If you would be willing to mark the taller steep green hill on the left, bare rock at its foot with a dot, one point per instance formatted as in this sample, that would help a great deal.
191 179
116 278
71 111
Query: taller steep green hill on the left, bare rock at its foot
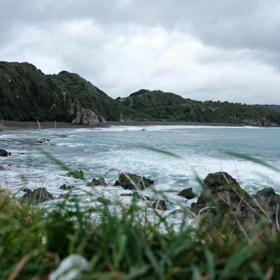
28 94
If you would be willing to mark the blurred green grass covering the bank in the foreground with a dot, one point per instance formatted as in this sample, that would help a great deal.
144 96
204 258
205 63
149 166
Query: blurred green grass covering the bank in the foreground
126 245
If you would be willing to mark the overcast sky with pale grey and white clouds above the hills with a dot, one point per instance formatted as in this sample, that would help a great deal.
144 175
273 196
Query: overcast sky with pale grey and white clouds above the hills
201 49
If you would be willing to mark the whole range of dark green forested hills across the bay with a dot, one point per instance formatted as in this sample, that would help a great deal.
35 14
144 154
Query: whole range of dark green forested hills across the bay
27 94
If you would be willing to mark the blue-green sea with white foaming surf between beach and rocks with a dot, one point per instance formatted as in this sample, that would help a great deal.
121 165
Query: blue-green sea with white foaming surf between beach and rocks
199 150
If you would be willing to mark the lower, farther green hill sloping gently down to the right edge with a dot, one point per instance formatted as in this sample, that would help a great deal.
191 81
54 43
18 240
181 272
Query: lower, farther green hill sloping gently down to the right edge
158 105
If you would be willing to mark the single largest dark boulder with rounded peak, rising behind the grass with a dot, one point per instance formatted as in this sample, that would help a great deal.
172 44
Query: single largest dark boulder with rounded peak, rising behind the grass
223 195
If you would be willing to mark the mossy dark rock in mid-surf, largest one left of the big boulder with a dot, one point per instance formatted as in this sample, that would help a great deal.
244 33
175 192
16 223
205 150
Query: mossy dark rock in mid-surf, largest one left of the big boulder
133 181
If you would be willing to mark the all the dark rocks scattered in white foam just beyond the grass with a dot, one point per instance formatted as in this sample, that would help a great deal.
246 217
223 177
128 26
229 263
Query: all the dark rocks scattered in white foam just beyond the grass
221 196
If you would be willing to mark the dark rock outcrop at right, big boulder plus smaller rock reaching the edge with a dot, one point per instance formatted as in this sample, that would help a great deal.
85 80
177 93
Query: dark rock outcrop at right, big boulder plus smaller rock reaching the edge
223 196
